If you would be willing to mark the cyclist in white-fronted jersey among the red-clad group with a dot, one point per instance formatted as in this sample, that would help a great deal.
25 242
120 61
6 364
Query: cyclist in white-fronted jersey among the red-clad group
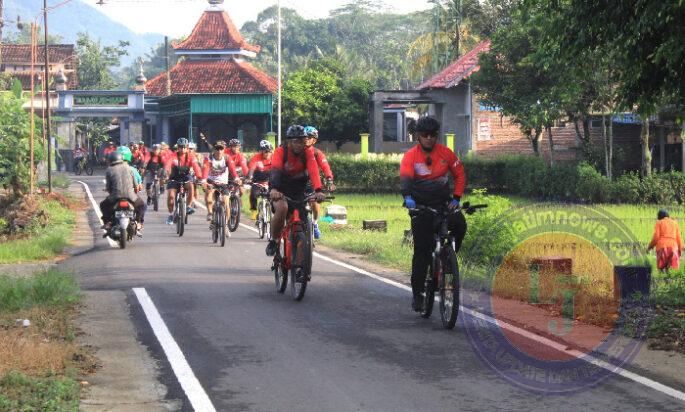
218 169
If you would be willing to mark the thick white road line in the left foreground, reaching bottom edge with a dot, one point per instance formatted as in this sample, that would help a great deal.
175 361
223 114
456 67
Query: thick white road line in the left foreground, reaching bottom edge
191 386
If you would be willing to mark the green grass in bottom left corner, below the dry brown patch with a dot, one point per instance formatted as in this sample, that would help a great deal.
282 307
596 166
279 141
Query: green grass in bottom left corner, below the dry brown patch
19 392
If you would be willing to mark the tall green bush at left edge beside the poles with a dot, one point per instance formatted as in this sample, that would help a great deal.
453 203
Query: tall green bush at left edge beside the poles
15 130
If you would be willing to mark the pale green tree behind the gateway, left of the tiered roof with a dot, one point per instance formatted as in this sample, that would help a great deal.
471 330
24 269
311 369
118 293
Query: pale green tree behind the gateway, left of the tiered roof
96 63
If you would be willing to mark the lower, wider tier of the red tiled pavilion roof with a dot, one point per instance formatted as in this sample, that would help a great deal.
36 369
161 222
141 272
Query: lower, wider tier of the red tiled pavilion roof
212 76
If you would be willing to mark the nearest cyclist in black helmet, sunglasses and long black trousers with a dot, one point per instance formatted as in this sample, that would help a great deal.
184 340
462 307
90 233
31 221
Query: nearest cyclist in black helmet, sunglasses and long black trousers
424 177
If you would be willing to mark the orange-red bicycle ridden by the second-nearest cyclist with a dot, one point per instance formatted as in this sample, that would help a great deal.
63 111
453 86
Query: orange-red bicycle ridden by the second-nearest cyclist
297 237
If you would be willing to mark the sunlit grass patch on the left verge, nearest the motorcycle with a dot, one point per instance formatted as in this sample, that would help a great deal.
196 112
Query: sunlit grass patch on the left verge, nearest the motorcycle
42 241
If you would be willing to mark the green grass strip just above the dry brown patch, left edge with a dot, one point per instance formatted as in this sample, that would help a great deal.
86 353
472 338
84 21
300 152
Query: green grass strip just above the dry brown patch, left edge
51 288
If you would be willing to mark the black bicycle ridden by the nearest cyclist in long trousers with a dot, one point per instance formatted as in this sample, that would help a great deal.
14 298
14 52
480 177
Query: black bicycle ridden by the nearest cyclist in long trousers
443 270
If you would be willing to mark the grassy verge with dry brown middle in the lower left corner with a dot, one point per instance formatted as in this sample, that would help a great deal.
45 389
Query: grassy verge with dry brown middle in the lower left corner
39 363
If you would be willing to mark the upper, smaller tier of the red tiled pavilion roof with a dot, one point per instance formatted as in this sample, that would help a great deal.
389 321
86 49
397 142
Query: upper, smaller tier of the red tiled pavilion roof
215 31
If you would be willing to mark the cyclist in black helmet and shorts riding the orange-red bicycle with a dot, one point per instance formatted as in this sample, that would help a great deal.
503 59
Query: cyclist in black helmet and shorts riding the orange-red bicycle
292 166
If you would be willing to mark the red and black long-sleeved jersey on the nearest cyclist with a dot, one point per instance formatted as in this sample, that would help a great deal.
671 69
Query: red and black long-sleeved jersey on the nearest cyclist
427 180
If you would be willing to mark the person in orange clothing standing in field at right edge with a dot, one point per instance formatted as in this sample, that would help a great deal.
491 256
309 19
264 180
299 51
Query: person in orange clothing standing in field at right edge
667 241
